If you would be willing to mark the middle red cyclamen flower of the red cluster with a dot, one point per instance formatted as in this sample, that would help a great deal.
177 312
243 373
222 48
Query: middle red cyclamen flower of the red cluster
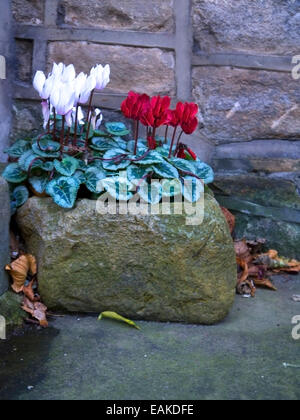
158 113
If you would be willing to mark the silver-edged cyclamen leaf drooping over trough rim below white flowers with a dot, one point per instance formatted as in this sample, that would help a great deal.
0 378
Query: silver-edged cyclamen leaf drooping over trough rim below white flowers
63 191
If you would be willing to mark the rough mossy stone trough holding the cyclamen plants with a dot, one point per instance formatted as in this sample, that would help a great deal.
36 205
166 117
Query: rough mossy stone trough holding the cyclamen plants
143 267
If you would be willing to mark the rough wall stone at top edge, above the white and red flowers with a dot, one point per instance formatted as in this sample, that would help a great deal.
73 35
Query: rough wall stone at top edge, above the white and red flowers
150 15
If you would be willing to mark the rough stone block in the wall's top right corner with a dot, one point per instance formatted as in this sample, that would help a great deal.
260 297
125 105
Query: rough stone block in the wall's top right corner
263 26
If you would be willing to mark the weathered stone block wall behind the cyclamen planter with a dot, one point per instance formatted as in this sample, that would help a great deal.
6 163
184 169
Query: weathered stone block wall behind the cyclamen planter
234 58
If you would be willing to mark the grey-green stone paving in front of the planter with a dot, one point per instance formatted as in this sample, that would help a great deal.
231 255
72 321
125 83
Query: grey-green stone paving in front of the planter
241 358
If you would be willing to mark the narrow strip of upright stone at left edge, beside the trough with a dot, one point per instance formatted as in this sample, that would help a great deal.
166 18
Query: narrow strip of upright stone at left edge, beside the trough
4 233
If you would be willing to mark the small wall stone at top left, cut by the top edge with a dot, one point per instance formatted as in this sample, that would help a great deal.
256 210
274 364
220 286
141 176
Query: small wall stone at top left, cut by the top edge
28 12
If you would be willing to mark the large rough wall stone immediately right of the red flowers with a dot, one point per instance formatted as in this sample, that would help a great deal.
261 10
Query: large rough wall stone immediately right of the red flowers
240 105
